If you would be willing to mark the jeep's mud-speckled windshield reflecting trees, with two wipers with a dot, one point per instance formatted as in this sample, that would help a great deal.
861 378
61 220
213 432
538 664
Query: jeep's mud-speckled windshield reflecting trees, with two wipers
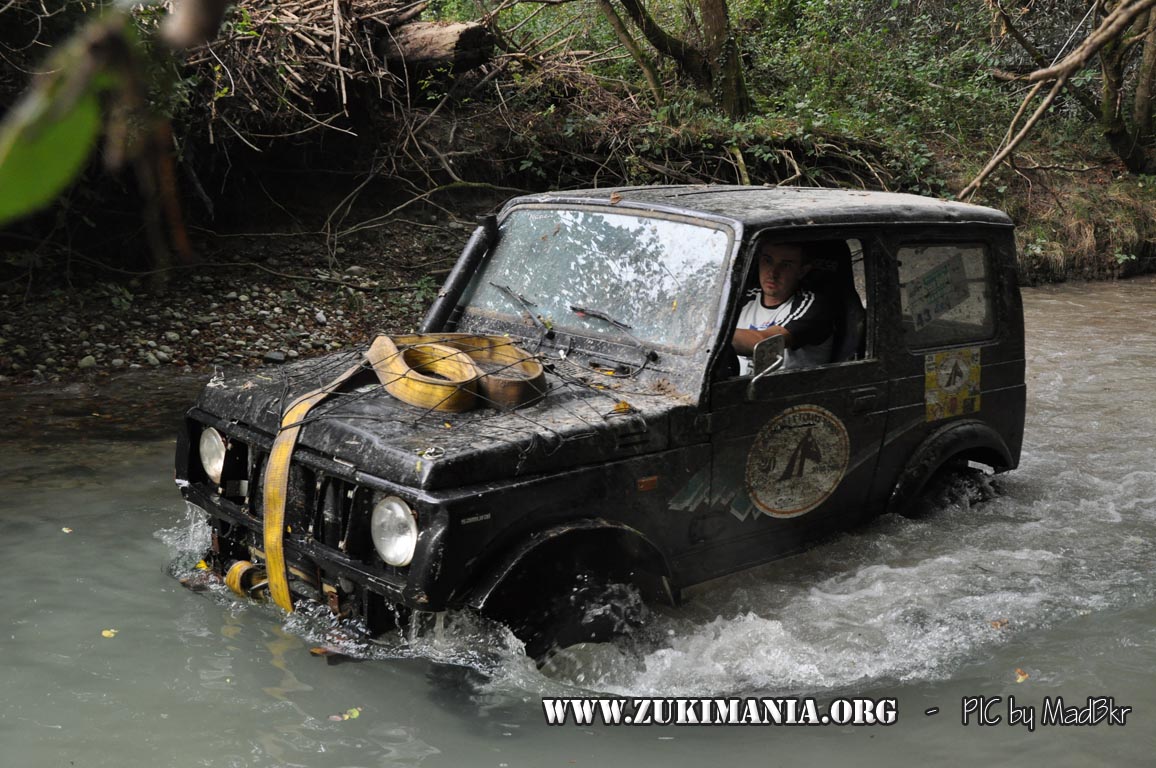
621 276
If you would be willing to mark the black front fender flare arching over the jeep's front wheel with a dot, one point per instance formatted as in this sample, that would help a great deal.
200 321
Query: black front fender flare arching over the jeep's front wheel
610 540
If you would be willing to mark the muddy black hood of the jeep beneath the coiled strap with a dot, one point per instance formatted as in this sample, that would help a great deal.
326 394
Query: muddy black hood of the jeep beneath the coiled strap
576 424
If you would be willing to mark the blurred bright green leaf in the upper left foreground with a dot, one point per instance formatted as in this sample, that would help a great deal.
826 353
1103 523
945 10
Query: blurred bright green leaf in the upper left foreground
43 147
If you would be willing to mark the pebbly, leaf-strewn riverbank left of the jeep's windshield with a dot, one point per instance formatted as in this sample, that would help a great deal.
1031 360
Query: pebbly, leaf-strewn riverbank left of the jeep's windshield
255 301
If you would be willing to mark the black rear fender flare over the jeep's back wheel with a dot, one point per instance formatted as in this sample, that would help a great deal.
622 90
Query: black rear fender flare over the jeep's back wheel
968 439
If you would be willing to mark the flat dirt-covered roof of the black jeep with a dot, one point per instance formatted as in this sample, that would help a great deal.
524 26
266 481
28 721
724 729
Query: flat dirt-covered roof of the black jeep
782 206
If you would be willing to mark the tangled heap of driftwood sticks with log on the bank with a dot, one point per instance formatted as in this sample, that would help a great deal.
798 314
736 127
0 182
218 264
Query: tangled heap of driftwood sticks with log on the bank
276 60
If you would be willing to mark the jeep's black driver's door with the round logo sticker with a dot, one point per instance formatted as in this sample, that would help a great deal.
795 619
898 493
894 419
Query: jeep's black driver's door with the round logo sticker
794 454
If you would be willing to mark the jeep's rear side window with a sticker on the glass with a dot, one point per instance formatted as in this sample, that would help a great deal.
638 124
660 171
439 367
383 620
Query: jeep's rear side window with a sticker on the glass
946 294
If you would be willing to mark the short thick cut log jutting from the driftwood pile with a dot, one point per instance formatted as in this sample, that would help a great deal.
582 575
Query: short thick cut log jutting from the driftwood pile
428 46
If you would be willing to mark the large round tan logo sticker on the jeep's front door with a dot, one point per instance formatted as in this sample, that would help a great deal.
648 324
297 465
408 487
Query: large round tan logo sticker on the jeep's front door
797 461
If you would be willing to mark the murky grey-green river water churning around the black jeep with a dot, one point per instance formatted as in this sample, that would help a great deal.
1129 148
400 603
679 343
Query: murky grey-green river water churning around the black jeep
1038 586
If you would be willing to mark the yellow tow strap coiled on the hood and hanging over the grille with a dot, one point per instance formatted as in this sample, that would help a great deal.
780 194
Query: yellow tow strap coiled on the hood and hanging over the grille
446 372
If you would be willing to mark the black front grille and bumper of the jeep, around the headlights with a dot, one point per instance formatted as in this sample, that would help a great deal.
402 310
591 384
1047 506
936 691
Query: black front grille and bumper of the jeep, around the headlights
329 553
